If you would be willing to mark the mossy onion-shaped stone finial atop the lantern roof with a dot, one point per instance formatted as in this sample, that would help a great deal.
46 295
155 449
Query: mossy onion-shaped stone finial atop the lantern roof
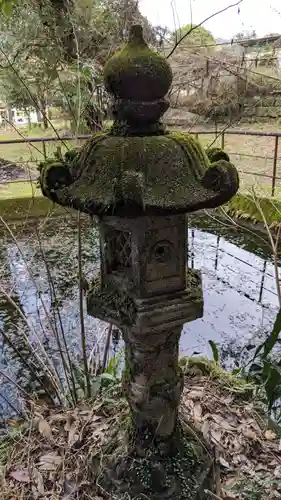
138 79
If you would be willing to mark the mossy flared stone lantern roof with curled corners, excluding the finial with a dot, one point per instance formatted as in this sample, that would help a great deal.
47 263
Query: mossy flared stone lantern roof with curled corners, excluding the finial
140 174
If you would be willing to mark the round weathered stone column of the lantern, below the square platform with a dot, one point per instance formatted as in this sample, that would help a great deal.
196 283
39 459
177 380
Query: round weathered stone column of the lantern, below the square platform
153 384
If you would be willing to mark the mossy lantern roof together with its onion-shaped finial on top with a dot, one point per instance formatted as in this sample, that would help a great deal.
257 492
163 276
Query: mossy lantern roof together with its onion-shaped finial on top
137 167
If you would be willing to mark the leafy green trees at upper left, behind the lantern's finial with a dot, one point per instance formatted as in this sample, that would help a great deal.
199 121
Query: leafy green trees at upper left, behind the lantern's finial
53 51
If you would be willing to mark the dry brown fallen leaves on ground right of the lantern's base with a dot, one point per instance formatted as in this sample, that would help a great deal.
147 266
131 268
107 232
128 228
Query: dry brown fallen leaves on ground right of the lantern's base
246 451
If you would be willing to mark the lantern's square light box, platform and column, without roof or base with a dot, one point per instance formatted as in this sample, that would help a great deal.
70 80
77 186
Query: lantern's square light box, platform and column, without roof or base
145 291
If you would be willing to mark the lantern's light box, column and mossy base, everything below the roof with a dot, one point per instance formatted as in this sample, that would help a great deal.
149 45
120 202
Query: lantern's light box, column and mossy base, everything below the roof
147 291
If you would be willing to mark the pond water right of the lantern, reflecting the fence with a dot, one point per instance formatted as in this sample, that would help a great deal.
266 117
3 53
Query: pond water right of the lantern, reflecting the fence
240 299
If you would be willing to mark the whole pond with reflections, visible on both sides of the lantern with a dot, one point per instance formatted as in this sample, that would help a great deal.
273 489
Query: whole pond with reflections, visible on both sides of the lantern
240 300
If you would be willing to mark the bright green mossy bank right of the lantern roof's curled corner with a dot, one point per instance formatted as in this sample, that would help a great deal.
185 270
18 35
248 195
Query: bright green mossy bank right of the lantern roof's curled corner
244 207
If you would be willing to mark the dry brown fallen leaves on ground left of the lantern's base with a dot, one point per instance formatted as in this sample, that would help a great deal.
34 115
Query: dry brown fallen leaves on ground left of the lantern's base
54 458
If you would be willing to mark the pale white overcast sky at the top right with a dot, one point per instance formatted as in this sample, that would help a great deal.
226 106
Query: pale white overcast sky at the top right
260 15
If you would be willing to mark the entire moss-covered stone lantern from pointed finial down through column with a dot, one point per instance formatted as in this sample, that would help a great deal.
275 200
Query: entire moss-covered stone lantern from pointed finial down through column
140 181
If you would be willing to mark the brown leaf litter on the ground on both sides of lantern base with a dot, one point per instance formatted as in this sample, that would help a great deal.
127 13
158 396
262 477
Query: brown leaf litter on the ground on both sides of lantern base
60 455
